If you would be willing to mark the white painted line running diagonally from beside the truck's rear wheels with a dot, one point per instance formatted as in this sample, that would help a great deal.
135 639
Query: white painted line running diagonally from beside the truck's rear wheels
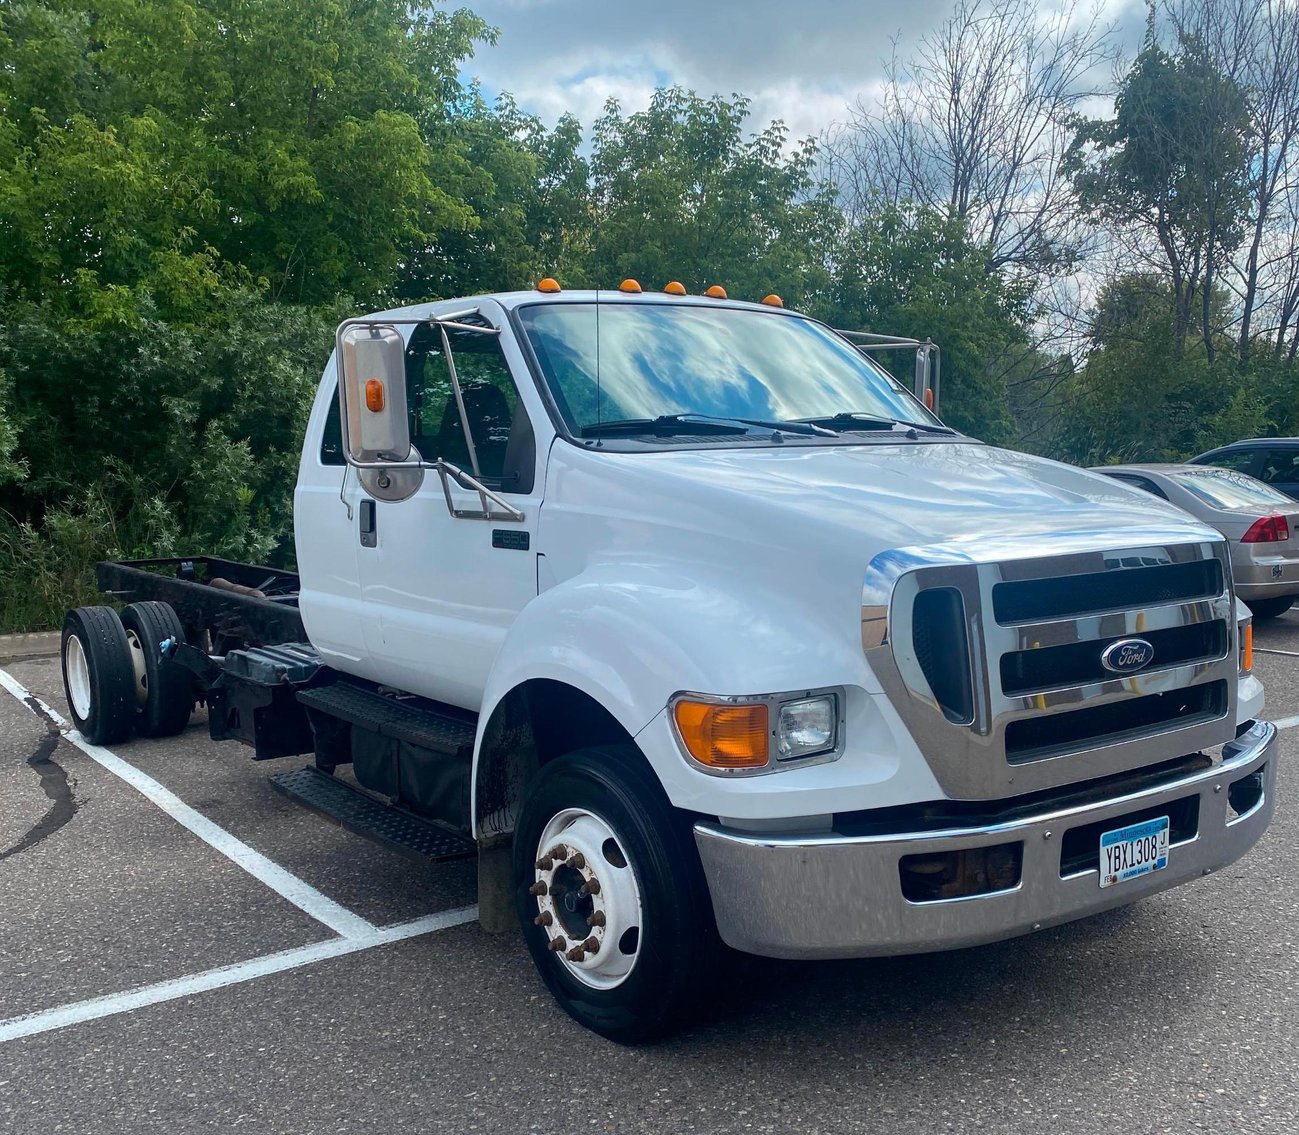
302 894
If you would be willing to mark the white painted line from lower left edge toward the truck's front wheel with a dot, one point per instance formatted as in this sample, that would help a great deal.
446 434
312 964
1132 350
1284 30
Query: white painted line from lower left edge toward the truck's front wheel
112 1004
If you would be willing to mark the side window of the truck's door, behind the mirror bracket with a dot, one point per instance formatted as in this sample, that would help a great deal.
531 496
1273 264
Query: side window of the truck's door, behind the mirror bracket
498 423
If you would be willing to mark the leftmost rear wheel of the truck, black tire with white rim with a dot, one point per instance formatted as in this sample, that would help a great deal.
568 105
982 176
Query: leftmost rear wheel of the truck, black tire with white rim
99 680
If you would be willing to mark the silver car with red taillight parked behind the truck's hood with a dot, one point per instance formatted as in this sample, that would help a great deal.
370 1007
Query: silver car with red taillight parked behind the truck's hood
1261 523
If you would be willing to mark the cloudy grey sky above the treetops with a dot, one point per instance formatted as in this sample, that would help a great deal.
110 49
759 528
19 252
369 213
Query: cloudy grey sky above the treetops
800 60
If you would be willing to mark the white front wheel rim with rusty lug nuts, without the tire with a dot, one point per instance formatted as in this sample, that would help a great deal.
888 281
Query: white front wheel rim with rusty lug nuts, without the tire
589 899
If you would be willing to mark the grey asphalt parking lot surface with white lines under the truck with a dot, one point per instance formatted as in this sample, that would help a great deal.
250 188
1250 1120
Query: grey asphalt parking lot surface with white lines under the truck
186 950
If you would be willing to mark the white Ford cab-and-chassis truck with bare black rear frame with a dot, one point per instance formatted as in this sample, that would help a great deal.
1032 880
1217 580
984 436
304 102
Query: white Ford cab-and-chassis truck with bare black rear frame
701 630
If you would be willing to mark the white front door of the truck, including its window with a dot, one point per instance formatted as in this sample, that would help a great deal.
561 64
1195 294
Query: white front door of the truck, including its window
441 592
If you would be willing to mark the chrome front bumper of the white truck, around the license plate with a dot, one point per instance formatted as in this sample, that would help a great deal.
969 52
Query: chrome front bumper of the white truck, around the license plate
822 897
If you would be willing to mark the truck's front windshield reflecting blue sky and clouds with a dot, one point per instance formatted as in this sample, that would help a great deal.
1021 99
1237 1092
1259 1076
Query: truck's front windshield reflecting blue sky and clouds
657 360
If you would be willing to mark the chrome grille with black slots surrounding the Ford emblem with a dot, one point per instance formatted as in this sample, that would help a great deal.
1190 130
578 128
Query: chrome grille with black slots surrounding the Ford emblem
1001 679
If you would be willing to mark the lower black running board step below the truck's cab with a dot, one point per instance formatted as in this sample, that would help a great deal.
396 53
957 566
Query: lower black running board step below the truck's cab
385 824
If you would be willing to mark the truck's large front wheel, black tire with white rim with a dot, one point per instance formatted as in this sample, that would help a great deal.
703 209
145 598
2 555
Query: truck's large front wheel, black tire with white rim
599 817
